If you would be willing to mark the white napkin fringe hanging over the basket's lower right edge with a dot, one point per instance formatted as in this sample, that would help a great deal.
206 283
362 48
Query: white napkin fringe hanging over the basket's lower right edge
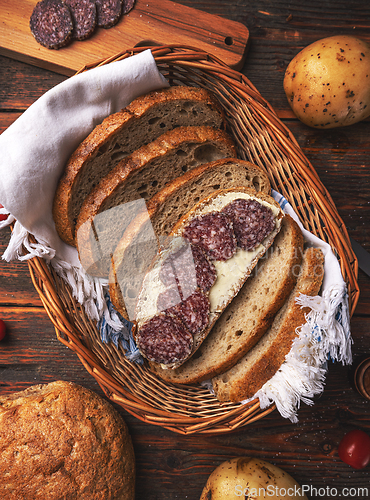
325 335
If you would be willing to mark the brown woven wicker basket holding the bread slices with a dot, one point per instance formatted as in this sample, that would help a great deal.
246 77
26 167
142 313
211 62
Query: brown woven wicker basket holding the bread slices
70 320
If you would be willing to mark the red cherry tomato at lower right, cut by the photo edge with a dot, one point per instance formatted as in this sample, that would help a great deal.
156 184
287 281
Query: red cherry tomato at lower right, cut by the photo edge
354 449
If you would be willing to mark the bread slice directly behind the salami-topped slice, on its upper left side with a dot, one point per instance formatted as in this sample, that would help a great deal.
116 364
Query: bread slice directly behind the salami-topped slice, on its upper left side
145 233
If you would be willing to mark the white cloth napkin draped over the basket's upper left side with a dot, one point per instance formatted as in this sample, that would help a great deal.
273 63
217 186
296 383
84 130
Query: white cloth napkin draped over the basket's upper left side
35 148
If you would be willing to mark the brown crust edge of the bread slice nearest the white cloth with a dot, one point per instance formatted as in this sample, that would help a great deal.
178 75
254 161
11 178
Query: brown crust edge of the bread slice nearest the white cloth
66 207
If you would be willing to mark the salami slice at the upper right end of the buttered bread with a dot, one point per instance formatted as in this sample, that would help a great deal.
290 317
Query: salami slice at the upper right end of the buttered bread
252 221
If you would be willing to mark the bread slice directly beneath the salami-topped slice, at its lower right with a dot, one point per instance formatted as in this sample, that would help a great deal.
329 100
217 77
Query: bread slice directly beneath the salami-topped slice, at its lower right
249 314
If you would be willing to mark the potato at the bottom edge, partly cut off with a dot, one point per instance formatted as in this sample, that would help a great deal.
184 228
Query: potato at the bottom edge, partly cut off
250 478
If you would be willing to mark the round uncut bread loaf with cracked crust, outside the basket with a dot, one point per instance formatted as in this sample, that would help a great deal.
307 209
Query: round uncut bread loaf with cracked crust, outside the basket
62 441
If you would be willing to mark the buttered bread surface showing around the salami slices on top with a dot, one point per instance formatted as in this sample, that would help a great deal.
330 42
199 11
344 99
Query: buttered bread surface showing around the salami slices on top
231 273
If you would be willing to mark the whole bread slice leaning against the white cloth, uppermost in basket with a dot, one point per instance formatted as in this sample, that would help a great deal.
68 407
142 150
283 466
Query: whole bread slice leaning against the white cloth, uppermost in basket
142 121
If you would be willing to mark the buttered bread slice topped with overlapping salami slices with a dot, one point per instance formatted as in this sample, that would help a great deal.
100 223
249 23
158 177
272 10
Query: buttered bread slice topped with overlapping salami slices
210 226
